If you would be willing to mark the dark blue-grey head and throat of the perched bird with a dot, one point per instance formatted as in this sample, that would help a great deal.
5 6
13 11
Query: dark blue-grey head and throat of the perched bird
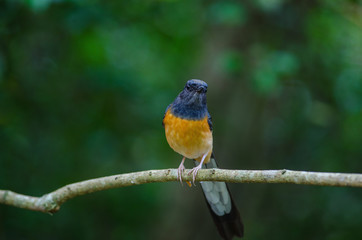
191 102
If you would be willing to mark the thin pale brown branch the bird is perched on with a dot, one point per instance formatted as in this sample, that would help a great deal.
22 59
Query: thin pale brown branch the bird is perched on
51 202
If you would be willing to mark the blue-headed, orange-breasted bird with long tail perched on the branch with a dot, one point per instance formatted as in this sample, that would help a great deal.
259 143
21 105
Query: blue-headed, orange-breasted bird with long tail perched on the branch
188 130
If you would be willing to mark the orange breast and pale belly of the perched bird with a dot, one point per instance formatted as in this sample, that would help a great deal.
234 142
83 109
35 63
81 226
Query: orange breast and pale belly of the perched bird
190 138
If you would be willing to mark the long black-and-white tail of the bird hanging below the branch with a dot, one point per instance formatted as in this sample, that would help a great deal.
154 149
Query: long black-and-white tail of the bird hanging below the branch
222 208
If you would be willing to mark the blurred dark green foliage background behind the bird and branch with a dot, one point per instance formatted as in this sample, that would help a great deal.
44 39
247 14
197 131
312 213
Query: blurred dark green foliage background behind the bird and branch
84 85
